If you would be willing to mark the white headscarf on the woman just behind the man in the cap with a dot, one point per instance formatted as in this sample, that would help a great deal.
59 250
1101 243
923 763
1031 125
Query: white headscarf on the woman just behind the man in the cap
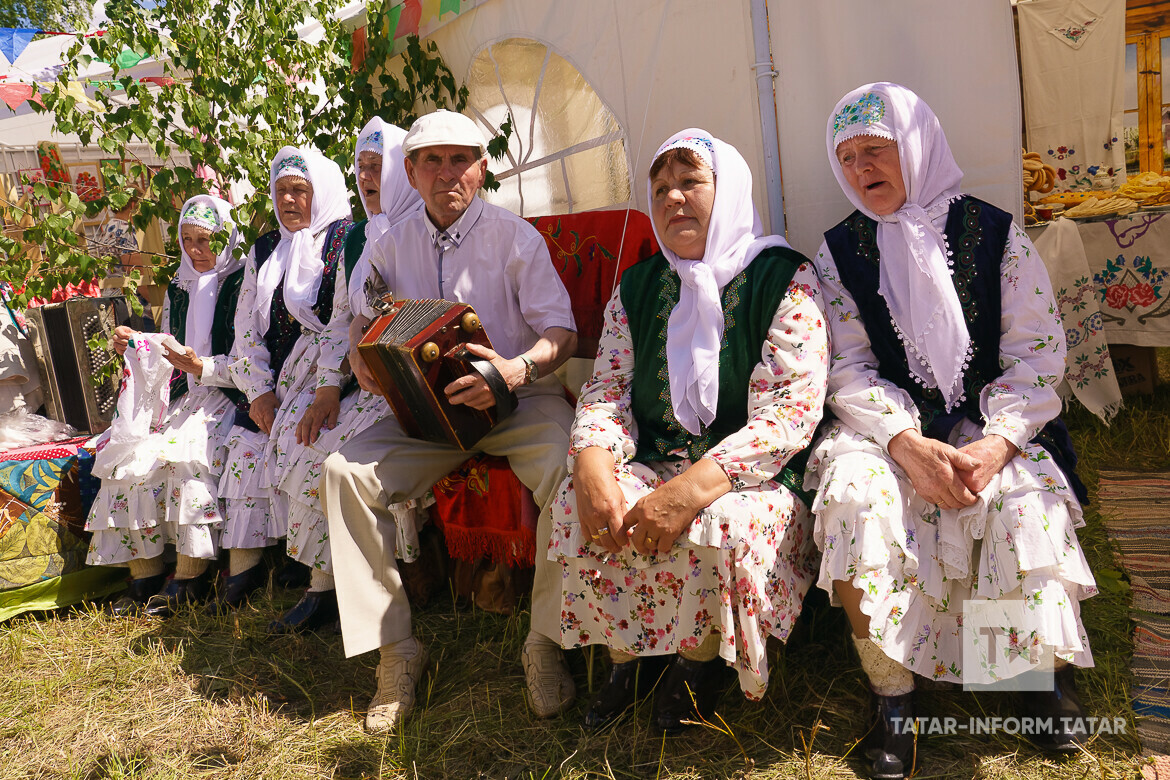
398 198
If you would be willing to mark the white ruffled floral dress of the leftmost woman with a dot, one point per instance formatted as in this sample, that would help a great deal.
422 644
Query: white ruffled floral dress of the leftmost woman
178 502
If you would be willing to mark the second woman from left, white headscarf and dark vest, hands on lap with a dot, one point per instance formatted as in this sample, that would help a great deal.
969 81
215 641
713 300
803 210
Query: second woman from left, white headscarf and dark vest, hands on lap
286 363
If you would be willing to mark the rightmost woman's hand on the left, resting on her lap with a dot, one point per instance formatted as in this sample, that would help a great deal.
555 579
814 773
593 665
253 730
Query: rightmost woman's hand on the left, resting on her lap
935 470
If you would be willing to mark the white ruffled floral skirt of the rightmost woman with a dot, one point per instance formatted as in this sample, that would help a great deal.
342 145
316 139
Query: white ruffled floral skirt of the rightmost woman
917 565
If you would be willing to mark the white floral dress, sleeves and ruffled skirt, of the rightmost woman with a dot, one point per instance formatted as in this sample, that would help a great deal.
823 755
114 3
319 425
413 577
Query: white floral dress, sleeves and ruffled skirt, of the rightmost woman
917 564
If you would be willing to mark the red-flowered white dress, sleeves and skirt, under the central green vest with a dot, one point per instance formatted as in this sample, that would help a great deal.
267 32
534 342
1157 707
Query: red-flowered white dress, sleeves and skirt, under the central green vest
744 567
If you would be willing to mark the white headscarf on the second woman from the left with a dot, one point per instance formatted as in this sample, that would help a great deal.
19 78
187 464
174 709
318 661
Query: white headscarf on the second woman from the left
297 258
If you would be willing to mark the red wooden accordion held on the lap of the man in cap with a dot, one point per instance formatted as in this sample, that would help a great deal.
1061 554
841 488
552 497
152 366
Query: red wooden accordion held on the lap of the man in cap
415 350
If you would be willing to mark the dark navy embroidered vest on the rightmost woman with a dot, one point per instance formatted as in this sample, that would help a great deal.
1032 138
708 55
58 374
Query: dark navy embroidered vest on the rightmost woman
978 236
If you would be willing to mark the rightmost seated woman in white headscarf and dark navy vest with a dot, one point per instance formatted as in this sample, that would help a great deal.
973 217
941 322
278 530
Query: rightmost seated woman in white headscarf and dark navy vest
946 475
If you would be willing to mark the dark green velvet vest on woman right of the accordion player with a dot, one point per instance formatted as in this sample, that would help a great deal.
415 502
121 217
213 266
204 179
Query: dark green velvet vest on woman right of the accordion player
650 292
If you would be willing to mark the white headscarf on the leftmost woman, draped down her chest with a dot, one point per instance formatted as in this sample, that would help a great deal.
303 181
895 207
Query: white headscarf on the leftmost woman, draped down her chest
216 216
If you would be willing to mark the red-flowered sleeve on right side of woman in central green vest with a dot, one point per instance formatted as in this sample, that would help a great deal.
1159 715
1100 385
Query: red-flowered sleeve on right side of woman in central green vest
787 391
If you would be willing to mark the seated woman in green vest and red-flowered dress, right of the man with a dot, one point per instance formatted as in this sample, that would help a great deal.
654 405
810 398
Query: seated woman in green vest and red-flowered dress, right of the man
680 531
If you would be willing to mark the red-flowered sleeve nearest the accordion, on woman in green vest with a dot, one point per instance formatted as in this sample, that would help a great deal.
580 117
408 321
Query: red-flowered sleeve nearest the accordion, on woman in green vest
604 417
